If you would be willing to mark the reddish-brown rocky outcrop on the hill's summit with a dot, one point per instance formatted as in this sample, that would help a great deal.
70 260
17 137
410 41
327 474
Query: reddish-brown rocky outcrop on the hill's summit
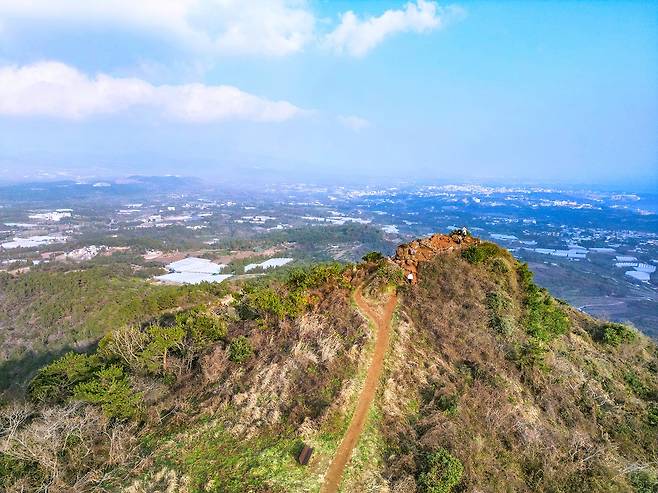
409 255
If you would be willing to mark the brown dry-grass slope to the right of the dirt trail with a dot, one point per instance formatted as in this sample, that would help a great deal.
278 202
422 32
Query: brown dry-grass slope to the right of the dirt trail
576 421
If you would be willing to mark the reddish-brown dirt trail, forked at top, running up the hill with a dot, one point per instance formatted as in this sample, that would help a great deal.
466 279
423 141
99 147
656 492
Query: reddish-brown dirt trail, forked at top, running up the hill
351 438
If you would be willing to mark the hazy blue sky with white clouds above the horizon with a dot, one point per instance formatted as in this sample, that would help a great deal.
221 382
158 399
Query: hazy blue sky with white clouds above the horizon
345 91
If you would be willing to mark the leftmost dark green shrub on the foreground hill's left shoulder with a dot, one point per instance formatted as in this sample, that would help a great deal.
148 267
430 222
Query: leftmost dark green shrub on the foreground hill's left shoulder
56 381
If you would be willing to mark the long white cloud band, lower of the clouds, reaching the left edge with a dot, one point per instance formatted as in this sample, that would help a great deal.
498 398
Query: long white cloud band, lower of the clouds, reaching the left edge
57 90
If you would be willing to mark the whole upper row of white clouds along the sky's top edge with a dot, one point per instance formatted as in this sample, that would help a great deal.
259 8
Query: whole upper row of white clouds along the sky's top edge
232 27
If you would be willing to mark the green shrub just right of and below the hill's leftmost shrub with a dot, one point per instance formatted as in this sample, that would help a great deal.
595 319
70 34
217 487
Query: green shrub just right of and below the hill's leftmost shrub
111 390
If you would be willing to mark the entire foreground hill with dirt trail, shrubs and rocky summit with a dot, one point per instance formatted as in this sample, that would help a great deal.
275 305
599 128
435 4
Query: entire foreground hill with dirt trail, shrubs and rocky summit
486 383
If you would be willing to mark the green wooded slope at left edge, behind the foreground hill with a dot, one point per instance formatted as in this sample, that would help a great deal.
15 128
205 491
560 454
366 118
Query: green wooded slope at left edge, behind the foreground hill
44 314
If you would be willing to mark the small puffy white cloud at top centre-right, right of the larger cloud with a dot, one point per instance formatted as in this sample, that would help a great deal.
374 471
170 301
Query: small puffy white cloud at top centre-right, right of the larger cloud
357 37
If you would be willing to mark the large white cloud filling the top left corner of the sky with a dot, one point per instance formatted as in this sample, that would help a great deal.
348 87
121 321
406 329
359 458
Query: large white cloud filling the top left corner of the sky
270 27
